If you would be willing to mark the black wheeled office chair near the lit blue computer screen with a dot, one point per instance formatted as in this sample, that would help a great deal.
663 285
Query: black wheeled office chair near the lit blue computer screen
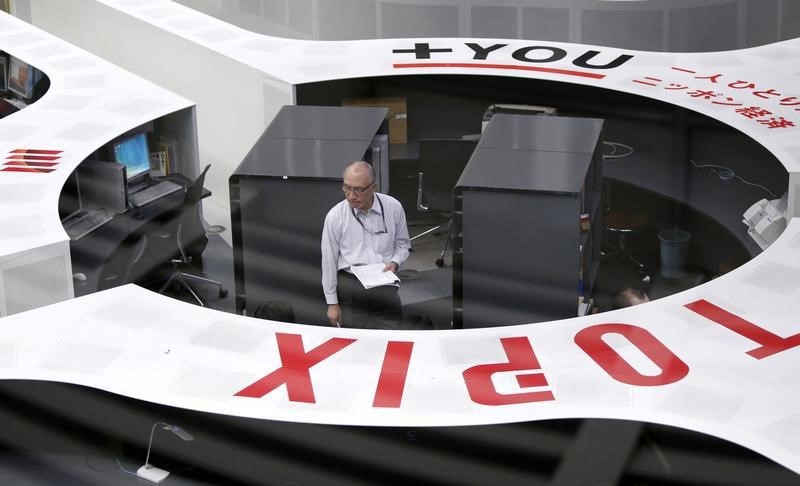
191 239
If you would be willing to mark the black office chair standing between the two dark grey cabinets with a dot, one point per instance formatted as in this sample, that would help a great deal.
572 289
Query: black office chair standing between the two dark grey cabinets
441 164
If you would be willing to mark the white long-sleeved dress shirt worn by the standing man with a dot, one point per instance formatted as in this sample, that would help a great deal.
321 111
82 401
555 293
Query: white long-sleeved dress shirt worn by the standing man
383 238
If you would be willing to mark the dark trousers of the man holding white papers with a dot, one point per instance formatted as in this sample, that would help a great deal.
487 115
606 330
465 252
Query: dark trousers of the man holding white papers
375 308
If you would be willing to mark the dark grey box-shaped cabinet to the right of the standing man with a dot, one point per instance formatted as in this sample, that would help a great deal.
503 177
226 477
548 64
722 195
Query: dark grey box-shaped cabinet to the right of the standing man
521 255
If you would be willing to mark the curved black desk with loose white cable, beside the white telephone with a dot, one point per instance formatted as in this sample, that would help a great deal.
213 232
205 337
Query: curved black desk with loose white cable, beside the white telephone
653 166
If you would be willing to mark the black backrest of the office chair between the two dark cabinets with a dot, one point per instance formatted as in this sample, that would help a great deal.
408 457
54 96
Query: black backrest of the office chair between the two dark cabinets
441 162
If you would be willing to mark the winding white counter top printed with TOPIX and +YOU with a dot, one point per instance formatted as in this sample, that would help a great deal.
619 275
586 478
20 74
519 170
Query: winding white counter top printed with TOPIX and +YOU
135 343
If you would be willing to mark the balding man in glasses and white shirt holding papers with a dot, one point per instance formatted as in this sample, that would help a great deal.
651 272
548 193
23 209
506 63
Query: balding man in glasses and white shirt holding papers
367 227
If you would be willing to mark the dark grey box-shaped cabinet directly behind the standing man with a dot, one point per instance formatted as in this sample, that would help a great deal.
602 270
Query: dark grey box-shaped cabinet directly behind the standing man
280 194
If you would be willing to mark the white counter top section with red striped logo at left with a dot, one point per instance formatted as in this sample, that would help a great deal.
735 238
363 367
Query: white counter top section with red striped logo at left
90 101
